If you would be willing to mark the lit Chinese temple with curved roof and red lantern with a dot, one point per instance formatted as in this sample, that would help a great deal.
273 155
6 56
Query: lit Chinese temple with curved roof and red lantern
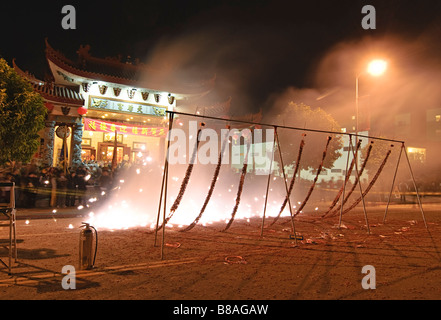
107 111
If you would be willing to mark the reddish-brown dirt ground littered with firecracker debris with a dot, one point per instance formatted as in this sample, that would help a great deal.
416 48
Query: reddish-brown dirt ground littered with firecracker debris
207 264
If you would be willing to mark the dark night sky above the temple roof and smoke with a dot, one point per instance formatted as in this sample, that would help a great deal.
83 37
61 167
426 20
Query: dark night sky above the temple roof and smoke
259 47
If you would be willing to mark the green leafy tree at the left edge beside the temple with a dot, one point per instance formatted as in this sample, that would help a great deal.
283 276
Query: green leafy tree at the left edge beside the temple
22 116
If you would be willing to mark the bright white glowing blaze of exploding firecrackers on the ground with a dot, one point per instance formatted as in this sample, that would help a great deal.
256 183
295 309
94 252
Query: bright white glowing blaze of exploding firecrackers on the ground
135 203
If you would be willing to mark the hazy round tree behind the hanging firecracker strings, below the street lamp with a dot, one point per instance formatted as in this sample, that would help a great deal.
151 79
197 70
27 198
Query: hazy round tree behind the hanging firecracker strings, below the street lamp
304 117
